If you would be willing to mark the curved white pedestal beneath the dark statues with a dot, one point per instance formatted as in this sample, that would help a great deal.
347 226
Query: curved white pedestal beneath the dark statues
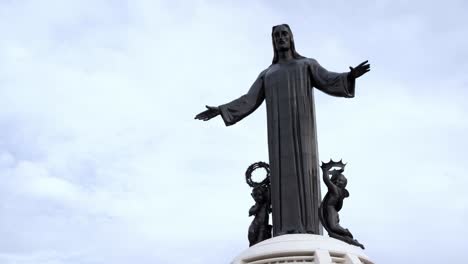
302 248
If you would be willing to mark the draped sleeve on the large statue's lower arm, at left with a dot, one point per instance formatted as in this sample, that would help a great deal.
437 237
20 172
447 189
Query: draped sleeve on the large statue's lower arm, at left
236 110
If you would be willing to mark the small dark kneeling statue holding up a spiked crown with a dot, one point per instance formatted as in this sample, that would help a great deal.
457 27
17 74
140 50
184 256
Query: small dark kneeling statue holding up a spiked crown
333 202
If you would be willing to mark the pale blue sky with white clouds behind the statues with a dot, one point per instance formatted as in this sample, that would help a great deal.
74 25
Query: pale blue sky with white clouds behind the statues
101 160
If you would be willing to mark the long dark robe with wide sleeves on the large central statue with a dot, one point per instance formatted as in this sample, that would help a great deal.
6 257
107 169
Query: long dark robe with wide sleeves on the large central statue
287 89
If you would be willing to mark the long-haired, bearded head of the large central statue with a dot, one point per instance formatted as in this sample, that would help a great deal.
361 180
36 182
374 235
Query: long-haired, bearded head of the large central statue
283 40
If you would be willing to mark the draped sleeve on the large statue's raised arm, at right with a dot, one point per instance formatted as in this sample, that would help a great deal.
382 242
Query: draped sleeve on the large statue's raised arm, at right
332 83
